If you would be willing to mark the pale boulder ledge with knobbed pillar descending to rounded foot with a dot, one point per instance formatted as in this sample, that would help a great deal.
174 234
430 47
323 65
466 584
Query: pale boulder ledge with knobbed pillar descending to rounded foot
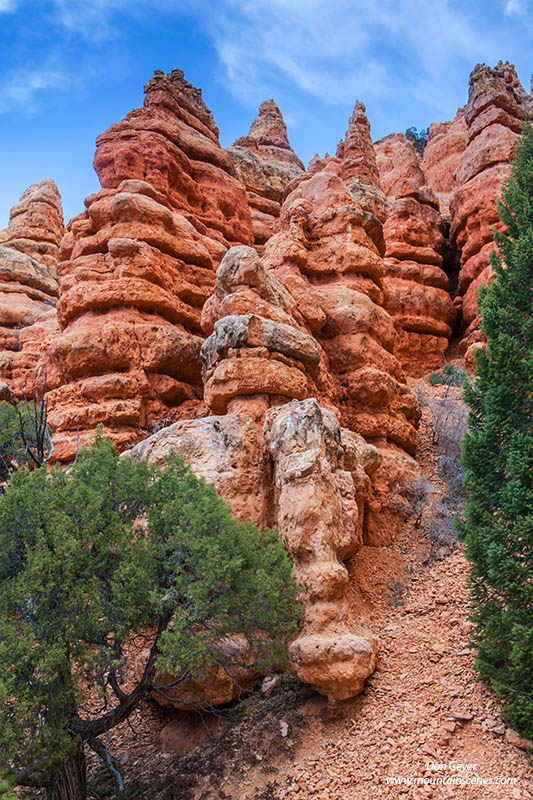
320 476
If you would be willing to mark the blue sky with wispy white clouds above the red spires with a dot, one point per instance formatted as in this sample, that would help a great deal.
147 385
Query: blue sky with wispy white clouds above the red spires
70 68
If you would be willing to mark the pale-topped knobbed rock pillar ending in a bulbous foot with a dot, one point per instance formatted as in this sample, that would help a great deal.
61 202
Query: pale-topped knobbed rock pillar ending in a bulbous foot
318 496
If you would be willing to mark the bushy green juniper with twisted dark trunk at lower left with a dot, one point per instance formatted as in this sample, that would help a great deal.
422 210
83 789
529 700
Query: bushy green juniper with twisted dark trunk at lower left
91 558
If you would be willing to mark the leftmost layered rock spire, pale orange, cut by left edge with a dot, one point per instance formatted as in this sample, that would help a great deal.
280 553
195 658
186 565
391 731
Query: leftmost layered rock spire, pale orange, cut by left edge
28 287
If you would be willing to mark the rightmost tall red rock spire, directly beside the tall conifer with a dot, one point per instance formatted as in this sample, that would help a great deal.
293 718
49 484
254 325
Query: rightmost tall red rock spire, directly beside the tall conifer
494 115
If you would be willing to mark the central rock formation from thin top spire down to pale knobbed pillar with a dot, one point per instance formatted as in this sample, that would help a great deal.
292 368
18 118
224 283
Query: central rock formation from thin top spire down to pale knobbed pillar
312 327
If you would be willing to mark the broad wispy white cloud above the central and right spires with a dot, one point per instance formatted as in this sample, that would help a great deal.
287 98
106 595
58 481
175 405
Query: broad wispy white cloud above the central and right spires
337 50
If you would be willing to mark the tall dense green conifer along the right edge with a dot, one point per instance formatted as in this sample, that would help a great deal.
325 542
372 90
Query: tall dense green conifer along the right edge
498 457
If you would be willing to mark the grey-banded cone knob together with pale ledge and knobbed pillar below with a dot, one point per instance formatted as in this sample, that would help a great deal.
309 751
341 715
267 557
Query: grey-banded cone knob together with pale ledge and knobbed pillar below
260 354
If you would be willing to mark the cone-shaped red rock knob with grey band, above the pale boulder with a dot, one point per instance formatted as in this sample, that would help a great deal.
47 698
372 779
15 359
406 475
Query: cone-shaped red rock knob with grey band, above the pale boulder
259 352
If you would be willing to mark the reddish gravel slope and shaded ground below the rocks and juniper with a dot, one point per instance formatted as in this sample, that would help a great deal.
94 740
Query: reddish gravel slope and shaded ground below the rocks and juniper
423 714
